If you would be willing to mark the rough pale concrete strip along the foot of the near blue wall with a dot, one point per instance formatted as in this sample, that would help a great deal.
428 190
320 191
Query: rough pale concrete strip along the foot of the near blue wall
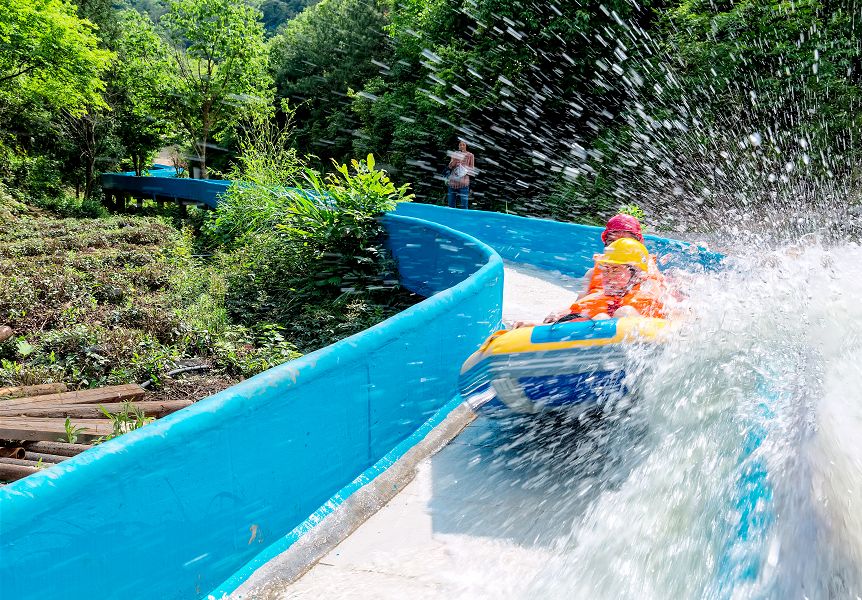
271 581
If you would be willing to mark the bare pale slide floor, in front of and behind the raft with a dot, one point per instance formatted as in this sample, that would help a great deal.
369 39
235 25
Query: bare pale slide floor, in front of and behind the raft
469 525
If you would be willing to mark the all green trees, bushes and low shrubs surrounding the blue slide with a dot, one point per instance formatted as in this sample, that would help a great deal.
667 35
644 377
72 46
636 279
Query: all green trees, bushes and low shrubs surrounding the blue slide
684 108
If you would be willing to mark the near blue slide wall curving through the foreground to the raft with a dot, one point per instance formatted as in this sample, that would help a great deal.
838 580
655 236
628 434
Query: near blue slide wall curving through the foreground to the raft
176 508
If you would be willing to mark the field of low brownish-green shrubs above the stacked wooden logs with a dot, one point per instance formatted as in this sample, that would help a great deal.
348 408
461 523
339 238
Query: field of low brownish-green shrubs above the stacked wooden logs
115 300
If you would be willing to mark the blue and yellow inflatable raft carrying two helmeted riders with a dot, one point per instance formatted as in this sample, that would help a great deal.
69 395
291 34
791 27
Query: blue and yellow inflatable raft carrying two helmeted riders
570 365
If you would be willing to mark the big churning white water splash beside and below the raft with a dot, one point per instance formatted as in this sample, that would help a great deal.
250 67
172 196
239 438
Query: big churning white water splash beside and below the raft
735 473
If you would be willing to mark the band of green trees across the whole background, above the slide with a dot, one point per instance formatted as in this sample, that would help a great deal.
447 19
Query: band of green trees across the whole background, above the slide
572 108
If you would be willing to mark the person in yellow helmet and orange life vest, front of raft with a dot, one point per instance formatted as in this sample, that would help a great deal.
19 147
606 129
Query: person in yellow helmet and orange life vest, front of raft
626 288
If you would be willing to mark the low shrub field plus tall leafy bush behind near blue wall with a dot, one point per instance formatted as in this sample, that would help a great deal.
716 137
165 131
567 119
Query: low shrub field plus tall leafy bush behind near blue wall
298 262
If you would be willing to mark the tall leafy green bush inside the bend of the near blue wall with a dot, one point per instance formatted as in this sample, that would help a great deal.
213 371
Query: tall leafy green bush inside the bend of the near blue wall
302 249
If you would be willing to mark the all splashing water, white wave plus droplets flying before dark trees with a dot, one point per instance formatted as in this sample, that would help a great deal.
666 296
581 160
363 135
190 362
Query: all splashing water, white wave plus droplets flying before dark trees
736 472
